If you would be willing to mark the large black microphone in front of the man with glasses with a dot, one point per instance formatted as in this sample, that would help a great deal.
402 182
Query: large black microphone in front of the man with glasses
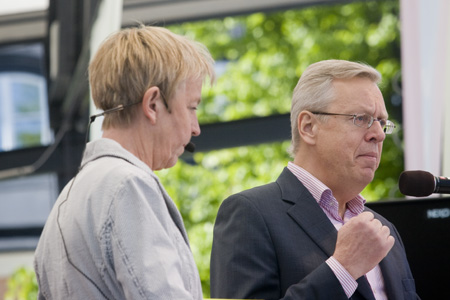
421 184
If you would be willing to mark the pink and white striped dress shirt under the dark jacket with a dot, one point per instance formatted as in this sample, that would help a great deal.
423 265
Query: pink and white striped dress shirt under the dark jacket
324 197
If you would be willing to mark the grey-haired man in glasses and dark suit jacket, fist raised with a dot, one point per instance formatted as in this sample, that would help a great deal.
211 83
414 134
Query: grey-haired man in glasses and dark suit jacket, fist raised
308 235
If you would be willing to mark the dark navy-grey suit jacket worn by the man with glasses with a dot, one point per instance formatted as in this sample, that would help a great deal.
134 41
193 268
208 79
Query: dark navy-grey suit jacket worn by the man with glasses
271 242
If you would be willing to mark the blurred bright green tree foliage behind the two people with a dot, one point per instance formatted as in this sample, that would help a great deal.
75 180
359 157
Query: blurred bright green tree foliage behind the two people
265 54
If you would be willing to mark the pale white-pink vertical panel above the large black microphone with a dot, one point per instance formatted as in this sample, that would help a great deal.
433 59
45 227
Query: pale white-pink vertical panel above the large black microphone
425 30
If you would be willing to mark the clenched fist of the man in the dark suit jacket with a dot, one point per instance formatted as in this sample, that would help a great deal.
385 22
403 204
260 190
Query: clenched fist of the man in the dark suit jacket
362 243
